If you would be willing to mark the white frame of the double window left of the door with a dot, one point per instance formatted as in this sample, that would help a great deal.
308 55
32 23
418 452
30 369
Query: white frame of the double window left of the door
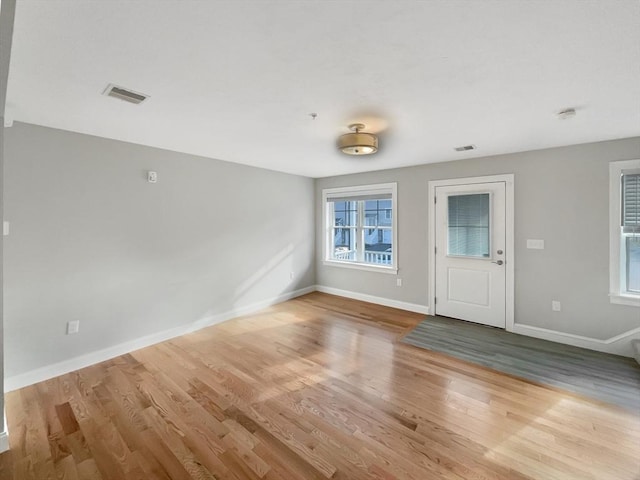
327 219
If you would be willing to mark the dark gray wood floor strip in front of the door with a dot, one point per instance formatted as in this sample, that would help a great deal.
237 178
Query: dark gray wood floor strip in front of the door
601 376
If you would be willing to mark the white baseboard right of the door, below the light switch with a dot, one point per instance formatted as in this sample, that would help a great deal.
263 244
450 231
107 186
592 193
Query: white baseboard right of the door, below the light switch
618 345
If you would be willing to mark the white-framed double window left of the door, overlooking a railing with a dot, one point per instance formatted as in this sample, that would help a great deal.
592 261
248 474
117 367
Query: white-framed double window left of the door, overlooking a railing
360 225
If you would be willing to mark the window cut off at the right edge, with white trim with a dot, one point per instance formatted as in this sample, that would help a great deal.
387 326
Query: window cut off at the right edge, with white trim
625 232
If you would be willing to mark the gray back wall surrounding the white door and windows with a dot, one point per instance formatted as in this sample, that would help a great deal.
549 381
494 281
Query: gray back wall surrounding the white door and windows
561 196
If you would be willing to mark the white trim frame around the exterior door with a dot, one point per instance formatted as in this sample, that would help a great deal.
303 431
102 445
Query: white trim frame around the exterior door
508 180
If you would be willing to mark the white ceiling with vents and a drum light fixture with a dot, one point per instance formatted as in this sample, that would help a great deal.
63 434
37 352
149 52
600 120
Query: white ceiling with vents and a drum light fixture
237 80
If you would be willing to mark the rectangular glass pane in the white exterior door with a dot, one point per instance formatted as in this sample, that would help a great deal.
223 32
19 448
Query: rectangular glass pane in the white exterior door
468 226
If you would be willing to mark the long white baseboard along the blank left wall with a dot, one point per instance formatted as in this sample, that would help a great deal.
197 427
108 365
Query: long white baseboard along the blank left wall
44 373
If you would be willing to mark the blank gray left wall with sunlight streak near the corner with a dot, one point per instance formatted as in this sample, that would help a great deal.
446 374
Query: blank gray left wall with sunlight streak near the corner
91 240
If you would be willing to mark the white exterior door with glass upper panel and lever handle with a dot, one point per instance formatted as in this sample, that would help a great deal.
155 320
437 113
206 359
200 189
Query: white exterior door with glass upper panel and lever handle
470 252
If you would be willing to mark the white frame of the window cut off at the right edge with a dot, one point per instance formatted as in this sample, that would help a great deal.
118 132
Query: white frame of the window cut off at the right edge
617 270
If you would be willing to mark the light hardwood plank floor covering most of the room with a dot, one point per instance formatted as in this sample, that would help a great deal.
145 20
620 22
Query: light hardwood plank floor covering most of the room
317 387
